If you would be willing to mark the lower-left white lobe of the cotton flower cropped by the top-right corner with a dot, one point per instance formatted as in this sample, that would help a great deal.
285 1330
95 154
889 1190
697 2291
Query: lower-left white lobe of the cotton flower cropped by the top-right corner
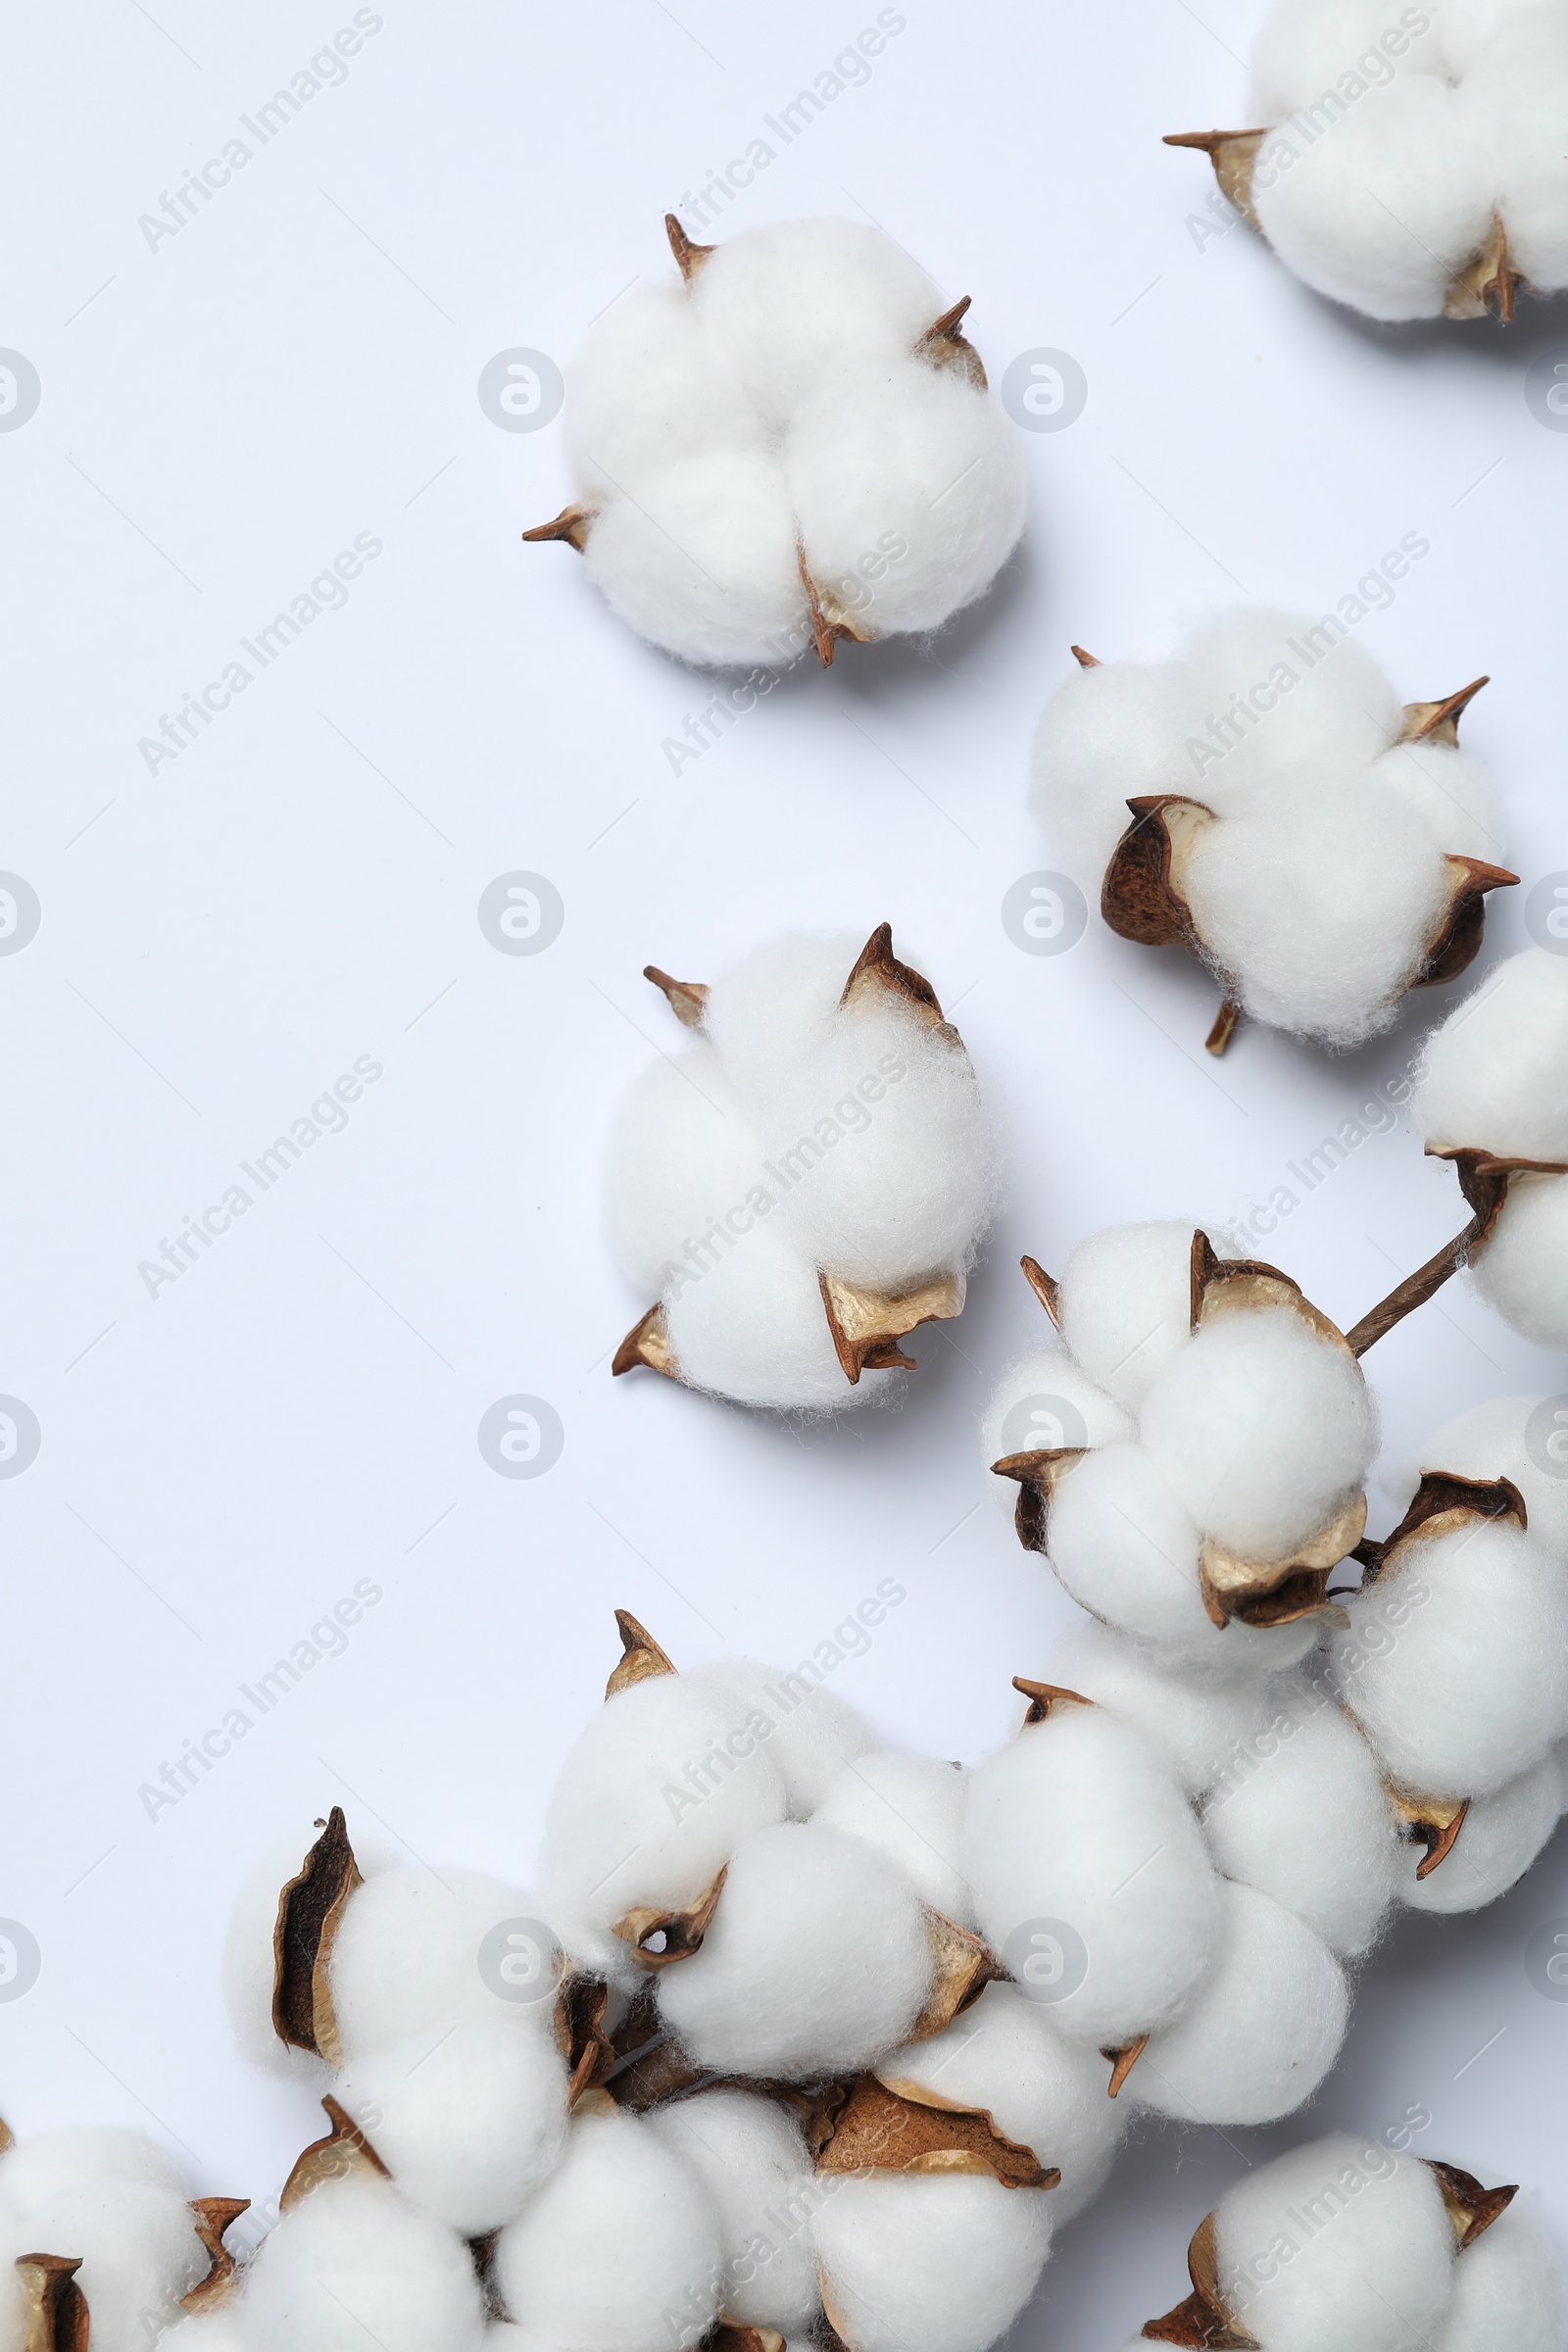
1388 203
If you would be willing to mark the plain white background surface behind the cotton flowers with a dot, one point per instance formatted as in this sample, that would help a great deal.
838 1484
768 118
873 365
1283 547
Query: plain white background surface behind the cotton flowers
220 1464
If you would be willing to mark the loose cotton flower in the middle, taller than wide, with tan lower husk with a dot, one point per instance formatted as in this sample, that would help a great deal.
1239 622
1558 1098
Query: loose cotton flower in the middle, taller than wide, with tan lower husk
805 1184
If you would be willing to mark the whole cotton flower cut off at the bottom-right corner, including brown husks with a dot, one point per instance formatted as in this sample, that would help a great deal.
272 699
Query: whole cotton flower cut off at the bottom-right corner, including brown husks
1355 2245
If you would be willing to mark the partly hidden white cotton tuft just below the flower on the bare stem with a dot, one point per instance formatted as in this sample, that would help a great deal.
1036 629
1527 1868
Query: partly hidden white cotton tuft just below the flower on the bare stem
1198 1720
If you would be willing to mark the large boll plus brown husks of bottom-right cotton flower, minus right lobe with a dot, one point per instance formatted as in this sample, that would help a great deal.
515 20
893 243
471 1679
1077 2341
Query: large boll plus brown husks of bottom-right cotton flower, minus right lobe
1341 2243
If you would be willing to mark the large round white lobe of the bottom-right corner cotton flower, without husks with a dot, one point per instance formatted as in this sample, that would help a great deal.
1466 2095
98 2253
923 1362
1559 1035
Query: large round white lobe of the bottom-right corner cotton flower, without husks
1372 2250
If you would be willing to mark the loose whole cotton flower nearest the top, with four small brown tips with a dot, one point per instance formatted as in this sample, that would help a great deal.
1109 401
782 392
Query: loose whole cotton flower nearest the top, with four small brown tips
791 448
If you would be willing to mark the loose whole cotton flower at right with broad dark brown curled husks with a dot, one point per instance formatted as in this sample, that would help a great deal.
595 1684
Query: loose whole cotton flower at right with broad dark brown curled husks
1320 846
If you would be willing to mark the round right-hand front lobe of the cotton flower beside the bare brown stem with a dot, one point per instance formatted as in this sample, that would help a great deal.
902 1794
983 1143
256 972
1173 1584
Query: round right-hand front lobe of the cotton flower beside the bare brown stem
1264 1429
